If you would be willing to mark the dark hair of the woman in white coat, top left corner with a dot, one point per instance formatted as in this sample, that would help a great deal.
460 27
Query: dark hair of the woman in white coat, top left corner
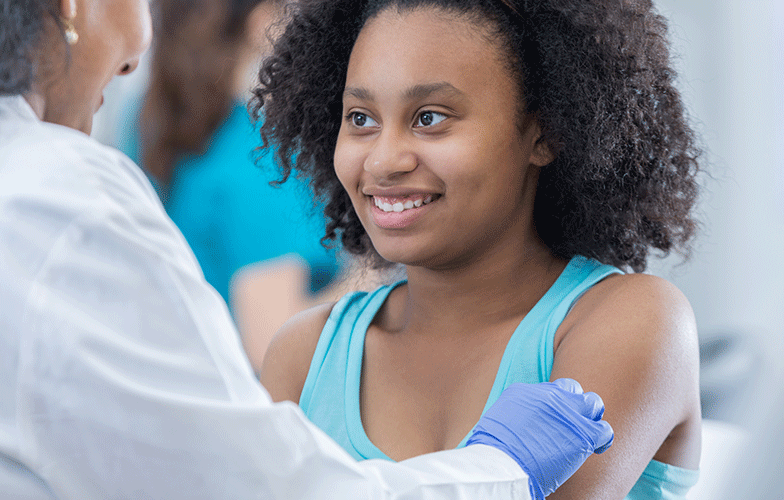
22 26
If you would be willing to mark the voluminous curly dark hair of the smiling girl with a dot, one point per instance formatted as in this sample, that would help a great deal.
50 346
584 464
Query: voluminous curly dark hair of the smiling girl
595 74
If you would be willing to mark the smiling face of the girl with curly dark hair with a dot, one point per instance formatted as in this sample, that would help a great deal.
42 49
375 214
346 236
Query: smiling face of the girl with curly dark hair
431 149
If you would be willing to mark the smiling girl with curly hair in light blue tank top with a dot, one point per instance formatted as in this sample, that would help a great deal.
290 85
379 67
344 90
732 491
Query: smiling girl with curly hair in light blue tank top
521 159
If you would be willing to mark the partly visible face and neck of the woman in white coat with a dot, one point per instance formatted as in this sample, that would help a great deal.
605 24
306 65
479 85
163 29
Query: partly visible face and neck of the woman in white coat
112 36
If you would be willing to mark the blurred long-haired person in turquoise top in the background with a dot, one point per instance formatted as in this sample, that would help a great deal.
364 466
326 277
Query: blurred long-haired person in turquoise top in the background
257 244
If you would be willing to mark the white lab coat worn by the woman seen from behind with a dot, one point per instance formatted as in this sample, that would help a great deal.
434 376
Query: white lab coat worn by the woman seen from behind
121 374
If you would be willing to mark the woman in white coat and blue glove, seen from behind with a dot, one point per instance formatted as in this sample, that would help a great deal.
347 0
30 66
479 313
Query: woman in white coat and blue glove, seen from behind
121 375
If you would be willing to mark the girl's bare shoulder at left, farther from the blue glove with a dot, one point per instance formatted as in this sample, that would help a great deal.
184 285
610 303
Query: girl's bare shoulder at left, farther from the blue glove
287 359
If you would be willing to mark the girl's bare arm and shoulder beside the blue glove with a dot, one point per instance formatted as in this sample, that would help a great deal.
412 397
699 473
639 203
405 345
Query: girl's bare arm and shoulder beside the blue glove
631 339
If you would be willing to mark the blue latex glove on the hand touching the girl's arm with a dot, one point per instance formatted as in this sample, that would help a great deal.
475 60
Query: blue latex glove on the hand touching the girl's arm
550 429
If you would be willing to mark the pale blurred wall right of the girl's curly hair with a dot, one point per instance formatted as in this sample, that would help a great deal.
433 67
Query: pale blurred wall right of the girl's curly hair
732 77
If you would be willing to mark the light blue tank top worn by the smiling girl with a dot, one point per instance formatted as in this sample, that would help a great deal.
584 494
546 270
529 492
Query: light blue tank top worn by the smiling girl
330 396
